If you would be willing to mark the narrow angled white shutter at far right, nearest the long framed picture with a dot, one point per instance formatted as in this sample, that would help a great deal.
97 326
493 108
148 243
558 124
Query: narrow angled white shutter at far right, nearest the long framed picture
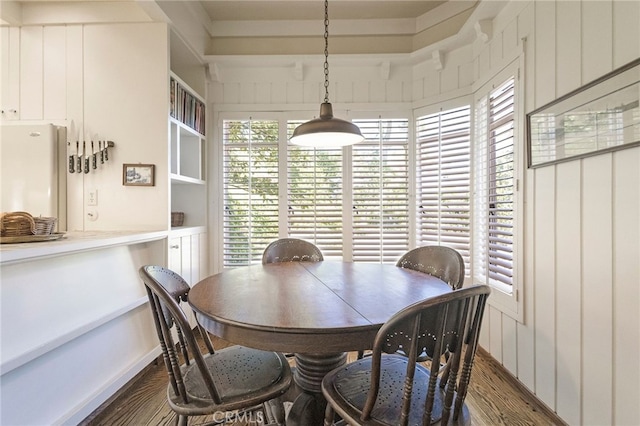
495 186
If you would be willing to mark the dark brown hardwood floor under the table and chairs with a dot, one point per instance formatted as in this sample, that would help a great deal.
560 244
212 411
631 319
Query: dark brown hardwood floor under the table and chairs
494 398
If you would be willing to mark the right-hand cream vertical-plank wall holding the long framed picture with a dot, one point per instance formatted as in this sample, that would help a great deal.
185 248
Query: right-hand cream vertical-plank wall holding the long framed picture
578 346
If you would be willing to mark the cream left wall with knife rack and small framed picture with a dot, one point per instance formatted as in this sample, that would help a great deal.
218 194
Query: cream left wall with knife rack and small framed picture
101 81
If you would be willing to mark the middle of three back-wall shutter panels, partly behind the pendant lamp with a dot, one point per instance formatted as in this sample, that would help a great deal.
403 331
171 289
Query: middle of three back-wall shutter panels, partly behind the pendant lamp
314 194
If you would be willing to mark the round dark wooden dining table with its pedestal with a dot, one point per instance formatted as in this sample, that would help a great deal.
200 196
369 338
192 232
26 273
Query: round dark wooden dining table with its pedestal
317 310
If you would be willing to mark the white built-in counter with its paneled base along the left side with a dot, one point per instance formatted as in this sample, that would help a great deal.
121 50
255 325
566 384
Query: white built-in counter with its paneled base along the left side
75 322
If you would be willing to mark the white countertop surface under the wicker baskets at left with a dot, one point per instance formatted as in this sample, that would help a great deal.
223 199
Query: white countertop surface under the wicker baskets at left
75 242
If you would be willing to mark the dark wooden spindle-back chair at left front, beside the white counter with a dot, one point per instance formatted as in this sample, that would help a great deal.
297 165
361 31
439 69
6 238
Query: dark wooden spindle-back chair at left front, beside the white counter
215 383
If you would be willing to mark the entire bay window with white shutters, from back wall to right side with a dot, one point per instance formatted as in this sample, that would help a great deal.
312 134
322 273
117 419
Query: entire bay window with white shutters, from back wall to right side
442 184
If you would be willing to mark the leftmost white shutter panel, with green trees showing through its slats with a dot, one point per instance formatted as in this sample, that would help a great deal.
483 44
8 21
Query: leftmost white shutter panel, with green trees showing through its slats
250 189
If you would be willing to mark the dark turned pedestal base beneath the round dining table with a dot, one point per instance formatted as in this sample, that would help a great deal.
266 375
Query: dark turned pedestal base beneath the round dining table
309 405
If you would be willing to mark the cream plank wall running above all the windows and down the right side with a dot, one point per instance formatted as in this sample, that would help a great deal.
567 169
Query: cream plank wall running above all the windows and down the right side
578 346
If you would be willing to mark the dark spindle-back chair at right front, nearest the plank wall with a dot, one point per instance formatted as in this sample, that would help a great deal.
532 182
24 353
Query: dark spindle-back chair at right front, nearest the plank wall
391 389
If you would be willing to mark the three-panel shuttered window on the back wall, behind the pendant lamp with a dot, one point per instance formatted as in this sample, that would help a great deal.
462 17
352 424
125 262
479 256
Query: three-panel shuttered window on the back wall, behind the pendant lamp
374 212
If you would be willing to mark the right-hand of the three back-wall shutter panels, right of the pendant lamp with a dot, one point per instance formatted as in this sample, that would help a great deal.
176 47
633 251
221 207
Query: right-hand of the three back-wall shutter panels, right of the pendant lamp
380 191
